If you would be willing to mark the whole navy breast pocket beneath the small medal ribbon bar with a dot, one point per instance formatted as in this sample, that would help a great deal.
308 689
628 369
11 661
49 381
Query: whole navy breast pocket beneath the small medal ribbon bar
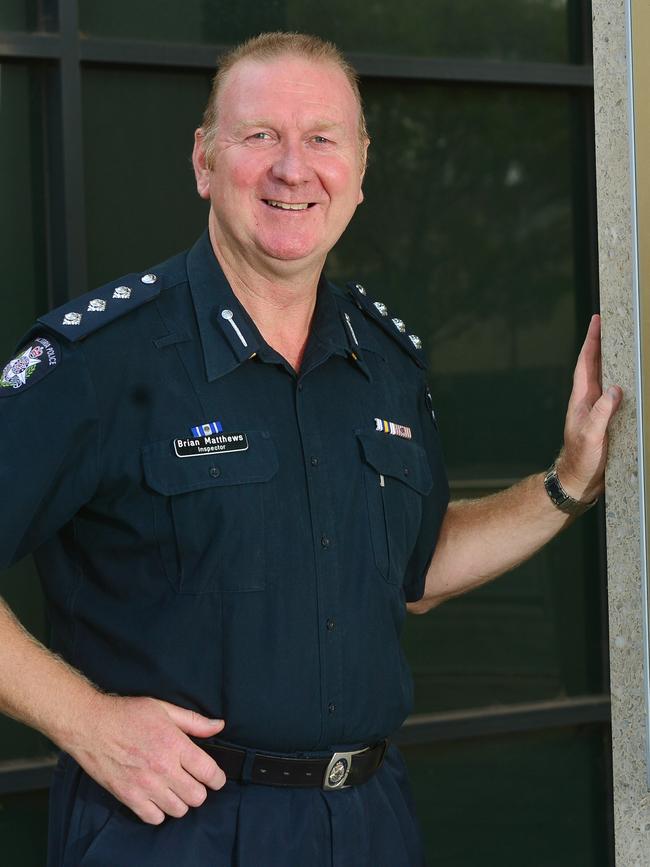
396 476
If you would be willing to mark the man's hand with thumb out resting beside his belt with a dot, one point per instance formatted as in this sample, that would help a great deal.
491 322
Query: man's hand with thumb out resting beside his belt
139 749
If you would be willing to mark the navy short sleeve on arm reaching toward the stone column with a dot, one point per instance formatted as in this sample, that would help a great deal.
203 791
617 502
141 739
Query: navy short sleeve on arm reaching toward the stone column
434 504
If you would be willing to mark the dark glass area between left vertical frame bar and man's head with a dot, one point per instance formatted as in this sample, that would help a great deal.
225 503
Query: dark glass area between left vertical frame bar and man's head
141 201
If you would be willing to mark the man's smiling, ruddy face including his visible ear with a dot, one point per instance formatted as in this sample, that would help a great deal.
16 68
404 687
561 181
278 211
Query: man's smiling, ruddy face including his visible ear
287 167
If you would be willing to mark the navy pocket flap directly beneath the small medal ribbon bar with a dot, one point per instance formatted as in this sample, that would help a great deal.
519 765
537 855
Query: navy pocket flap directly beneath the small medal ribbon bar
398 458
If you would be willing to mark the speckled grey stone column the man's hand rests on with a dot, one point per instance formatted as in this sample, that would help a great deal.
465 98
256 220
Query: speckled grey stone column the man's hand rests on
631 798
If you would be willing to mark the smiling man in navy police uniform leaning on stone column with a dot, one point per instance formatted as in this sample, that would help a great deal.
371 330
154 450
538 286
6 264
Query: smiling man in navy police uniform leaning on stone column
241 493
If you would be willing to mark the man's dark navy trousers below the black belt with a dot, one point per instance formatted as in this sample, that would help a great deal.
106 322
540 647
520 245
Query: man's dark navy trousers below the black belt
241 825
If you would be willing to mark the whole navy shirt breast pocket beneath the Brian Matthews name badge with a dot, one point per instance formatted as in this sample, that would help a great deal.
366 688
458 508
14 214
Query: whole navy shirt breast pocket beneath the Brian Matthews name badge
212 515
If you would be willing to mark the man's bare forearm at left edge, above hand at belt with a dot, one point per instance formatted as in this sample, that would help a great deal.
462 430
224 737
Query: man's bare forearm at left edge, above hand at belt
37 687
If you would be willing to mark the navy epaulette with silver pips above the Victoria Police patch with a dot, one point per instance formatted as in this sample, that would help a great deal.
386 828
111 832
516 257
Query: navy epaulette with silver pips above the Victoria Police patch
79 317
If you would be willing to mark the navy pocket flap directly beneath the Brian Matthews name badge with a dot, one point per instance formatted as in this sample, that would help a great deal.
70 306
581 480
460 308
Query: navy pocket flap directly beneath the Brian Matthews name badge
169 474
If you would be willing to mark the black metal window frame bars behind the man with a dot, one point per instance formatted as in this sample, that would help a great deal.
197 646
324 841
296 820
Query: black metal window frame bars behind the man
62 51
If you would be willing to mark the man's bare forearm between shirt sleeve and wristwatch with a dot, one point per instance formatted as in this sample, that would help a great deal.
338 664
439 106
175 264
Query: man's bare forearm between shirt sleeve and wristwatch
480 539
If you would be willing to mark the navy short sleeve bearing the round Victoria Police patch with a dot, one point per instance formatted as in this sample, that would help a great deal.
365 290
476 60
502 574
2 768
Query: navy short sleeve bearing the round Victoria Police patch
49 441
